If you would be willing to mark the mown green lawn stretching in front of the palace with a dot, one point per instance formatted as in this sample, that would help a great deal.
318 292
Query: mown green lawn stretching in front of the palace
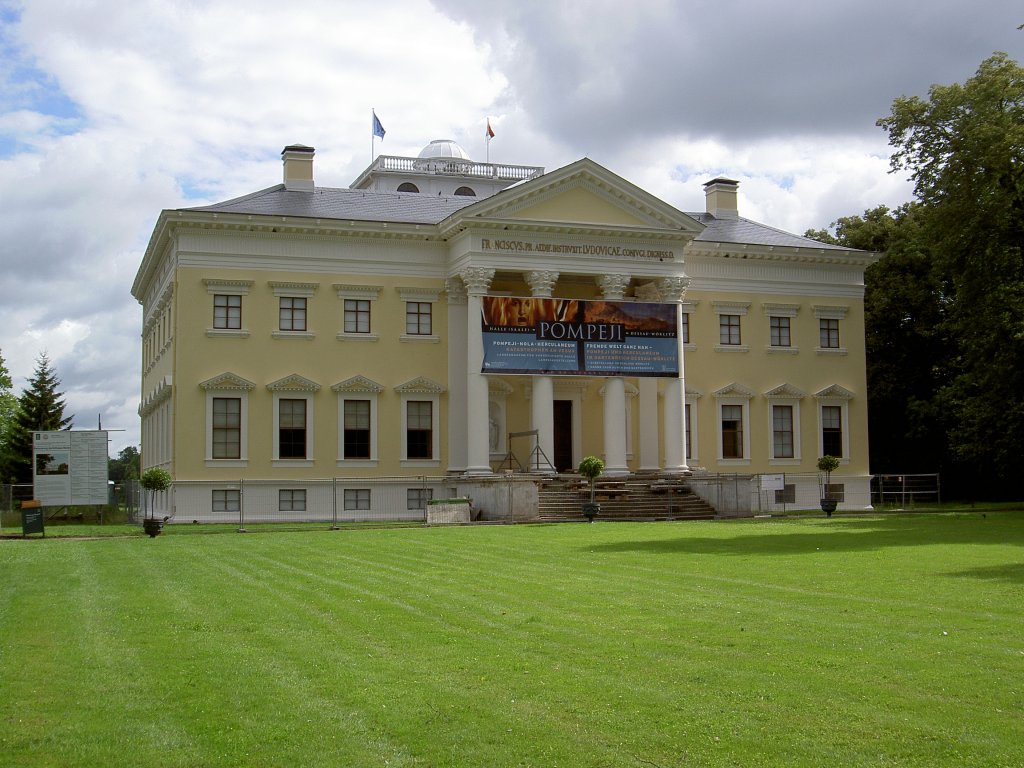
857 642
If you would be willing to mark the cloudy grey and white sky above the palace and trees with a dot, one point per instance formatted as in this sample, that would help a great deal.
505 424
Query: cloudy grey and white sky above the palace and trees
114 110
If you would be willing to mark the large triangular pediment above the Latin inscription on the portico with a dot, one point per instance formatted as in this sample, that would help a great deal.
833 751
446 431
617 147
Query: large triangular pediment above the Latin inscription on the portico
583 196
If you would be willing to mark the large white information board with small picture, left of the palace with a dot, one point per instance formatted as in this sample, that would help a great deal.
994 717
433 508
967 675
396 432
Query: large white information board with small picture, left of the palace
70 468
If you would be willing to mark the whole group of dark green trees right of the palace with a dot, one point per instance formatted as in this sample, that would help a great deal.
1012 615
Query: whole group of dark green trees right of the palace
945 307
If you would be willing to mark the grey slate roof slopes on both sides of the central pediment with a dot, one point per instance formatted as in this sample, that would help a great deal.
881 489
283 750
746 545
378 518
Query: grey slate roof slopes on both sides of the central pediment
416 208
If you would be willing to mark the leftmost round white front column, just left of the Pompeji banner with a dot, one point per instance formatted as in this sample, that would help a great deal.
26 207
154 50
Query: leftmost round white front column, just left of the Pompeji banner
477 280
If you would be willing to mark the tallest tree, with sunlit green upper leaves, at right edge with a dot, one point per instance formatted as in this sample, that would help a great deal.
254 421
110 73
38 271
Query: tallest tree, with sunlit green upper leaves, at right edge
964 149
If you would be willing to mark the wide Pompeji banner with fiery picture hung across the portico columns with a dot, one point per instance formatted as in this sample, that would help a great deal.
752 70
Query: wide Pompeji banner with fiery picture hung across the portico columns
577 337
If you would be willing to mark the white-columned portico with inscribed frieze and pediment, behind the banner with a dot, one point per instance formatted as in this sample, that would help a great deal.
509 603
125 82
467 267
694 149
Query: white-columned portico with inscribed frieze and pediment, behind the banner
519 244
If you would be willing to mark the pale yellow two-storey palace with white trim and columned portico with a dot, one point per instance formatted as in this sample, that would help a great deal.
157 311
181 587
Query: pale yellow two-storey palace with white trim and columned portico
304 340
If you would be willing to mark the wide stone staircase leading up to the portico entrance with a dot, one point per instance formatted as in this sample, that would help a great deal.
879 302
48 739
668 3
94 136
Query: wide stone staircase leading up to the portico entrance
634 498
